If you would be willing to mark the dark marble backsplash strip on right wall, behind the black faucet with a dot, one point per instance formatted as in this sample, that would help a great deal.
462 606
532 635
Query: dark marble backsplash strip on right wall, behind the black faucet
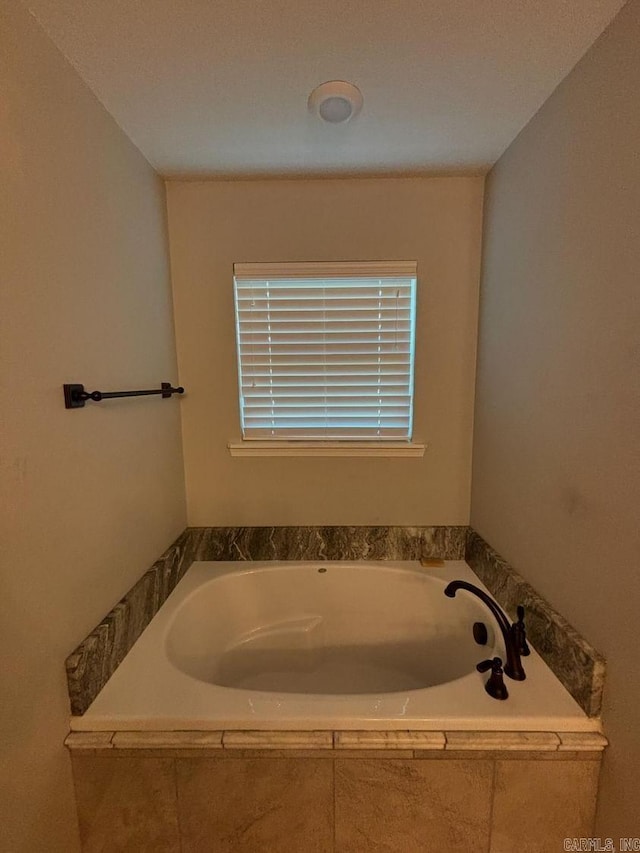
579 667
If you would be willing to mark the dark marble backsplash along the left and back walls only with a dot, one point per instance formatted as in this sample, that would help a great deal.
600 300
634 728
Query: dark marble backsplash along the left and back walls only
94 661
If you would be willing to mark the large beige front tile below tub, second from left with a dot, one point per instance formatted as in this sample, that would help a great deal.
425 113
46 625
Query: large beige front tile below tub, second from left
274 805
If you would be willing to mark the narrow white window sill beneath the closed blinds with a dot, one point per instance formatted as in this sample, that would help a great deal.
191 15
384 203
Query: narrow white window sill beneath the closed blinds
326 448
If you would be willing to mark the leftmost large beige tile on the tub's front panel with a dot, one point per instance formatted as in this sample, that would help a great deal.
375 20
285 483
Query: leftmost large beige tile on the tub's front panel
126 804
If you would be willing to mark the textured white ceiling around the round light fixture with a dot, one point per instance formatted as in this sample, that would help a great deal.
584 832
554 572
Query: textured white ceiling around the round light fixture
220 87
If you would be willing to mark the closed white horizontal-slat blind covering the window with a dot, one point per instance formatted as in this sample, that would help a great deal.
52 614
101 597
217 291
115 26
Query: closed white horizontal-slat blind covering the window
326 351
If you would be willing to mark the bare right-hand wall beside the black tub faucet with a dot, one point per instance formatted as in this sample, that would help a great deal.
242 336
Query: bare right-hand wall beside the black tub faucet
556 474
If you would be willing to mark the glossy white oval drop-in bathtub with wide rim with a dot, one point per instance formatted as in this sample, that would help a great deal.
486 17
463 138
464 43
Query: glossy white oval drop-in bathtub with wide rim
323 645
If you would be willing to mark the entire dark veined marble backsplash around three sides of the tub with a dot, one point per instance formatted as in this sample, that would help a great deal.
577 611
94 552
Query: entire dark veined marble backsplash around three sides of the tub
578 666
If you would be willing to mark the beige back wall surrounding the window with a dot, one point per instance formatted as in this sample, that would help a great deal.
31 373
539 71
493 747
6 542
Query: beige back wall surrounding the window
435 221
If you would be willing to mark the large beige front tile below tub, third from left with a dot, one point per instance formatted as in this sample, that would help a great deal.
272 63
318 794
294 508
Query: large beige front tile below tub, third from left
403 805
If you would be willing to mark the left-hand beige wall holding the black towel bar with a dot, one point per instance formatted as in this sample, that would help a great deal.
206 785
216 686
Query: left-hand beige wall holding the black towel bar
90 497
